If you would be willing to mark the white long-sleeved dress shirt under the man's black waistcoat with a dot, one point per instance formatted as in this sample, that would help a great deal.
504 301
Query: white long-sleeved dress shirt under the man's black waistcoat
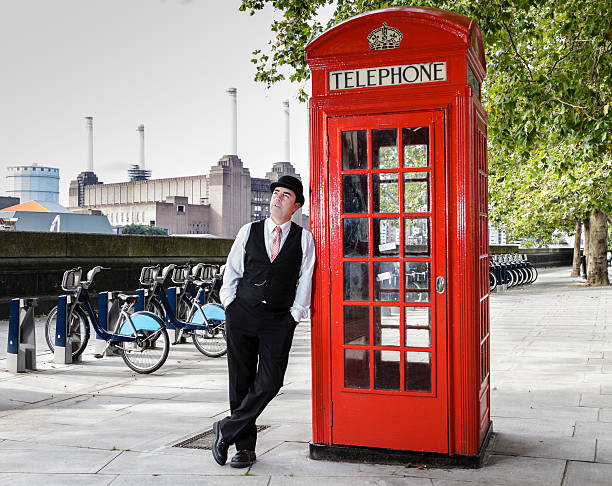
234 267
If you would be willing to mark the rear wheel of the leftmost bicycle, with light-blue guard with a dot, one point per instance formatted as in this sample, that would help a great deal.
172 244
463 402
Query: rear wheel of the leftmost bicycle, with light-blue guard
149 353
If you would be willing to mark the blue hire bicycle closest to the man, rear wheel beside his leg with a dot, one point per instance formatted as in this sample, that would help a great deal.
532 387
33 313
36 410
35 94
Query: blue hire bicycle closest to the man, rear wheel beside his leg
204 322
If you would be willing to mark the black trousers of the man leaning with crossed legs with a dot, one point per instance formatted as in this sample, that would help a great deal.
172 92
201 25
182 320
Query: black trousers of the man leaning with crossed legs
258 344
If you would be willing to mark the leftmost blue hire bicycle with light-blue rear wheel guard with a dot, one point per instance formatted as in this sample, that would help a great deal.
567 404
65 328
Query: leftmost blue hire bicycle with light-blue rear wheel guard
140 338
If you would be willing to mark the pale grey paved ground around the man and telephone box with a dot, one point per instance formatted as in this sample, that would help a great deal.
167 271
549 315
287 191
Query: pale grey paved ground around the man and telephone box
97 423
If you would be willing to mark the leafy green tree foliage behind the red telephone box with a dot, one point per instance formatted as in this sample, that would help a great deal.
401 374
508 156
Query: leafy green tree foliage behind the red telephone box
547 93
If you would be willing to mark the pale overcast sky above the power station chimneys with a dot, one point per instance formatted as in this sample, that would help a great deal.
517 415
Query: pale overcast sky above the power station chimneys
162 63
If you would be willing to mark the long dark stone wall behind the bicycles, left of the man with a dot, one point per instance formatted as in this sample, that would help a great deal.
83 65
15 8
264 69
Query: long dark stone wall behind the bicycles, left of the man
32 264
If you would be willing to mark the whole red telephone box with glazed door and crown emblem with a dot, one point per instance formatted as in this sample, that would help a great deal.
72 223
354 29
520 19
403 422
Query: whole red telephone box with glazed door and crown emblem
398 206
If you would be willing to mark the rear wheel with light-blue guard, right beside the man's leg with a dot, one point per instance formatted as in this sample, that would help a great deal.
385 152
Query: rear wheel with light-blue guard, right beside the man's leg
210 341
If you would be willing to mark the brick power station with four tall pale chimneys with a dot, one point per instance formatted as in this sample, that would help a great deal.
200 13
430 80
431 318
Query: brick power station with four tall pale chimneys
218 203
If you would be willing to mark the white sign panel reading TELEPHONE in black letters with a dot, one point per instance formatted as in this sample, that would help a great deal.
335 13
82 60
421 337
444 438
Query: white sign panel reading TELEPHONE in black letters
428 72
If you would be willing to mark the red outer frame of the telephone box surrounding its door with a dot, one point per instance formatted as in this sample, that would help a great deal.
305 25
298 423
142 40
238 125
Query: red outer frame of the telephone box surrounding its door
429 35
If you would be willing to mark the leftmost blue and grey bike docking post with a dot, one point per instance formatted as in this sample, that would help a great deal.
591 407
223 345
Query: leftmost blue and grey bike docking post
21 343
